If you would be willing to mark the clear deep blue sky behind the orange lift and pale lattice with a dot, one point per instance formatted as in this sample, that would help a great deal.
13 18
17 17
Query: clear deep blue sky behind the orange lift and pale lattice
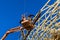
11 11
